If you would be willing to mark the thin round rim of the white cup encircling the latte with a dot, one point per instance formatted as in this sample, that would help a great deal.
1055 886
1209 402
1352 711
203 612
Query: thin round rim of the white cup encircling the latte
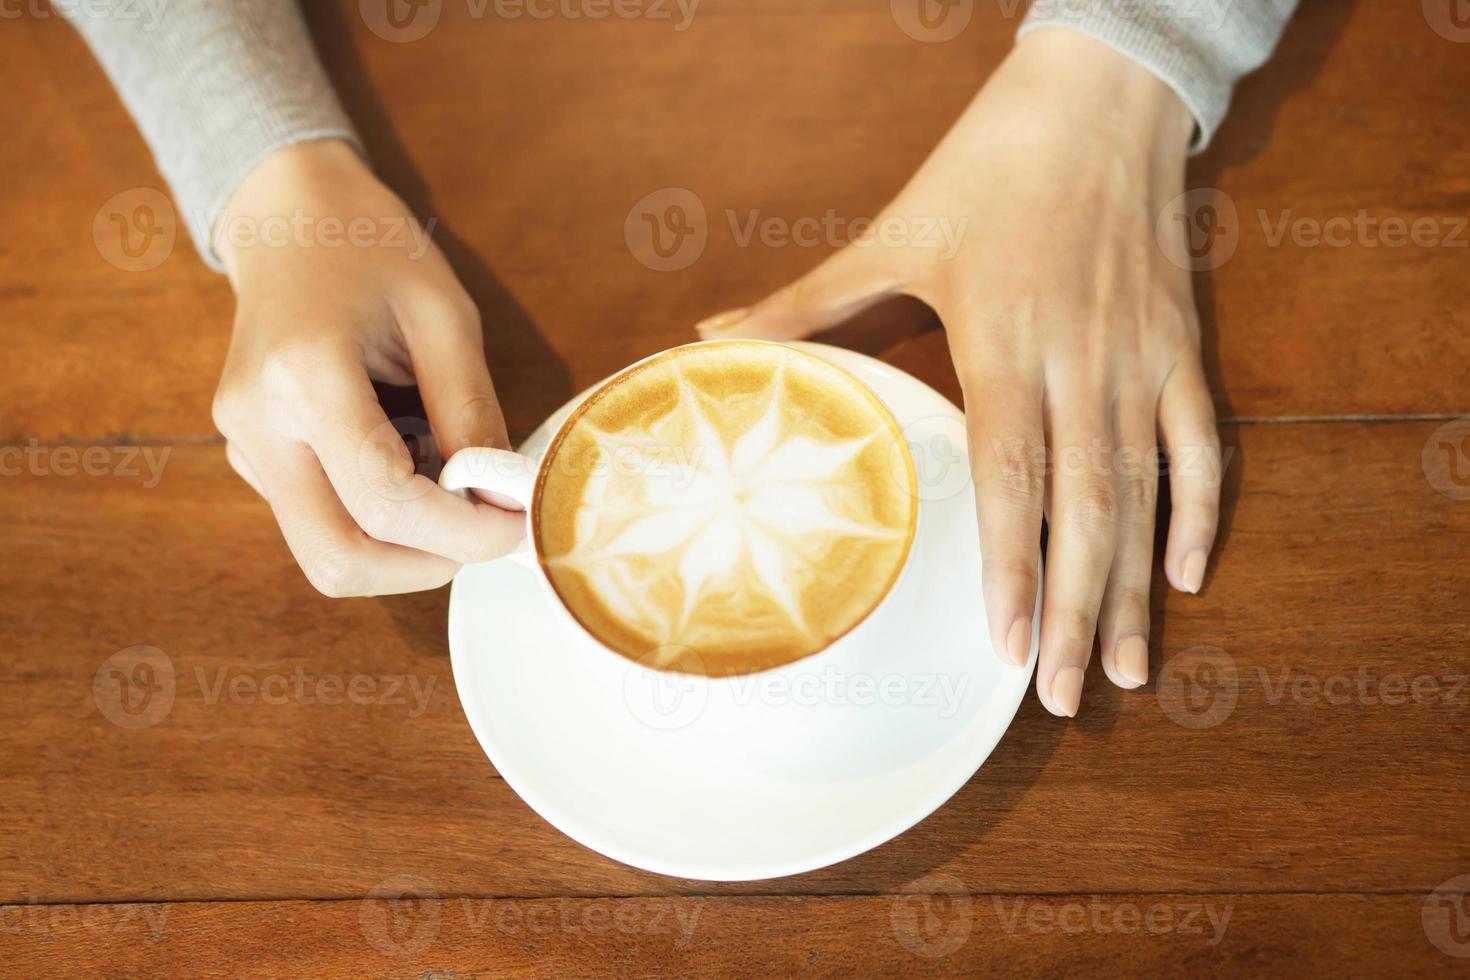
564 428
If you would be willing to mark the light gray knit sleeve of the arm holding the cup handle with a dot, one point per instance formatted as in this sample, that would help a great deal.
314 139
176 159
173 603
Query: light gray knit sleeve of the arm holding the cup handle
215 87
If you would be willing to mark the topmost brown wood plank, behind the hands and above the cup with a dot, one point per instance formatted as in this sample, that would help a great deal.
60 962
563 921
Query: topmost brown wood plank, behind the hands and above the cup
531 140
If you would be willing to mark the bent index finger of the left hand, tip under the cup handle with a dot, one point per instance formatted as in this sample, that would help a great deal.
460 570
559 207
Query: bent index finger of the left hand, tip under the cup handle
373 474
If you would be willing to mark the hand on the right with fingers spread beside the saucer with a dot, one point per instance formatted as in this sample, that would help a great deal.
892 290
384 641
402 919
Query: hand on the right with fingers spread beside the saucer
1072 336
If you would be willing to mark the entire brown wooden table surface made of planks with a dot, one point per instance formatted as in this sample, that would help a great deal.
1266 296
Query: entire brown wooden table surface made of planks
1290 813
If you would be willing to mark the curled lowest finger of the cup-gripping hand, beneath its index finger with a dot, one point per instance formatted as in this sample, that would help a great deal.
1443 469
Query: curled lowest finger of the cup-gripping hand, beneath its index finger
339 559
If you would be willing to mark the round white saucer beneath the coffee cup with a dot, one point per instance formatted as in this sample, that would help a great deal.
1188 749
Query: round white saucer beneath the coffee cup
845 768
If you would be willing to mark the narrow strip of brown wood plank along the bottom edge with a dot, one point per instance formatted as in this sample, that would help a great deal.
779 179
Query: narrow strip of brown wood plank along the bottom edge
930 934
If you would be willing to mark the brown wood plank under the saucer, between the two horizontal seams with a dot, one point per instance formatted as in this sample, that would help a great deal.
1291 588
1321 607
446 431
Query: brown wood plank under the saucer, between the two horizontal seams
1341 562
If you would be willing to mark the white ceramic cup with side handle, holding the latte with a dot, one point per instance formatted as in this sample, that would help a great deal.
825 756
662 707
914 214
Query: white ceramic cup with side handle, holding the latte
511 481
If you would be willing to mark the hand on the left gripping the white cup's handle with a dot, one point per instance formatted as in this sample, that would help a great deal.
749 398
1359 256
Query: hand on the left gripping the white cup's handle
323 312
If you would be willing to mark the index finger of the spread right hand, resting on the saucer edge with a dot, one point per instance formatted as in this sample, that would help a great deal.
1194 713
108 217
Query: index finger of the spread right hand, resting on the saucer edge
1009 464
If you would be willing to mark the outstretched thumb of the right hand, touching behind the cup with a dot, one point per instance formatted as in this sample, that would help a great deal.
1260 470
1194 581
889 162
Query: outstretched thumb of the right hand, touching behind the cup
846 284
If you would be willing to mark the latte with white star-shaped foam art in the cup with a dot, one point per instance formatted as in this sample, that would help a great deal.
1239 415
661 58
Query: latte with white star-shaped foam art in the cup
725 508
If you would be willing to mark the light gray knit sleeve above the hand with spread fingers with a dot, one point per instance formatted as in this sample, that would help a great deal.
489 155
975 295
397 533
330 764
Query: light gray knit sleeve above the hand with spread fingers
1199 49
